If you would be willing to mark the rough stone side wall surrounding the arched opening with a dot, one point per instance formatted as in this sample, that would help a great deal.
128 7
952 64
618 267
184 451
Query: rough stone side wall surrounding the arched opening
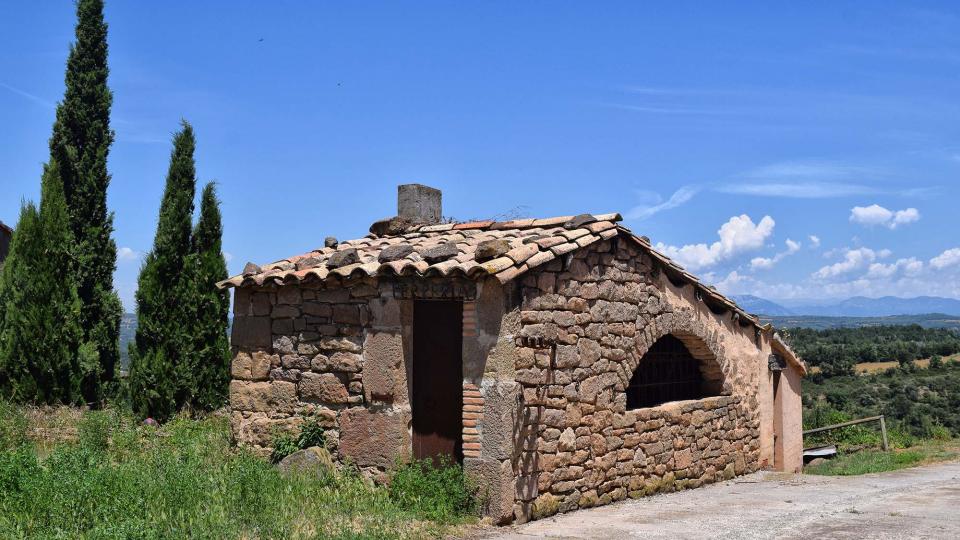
587 320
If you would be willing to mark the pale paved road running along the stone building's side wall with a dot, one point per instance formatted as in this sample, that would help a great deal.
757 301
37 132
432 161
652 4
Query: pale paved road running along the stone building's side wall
922 502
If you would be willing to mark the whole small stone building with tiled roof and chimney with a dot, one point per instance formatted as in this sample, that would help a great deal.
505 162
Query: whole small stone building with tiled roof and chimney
563 361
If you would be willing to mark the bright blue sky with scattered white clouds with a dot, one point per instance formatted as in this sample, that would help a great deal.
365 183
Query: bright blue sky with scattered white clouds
720 131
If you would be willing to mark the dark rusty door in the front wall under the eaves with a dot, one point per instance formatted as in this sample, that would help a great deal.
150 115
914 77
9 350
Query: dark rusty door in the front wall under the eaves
437 380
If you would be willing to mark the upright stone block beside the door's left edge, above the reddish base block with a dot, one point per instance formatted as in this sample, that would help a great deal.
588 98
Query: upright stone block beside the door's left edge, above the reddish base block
384 378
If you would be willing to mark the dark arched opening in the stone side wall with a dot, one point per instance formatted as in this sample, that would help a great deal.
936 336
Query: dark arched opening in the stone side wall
669 372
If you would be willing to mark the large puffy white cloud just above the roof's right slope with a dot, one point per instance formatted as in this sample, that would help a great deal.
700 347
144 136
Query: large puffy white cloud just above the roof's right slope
738 235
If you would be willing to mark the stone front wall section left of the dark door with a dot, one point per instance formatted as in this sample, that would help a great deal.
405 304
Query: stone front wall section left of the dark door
334 354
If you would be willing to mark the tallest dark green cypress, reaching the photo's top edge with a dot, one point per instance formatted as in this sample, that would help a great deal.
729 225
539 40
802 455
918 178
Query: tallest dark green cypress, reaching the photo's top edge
80 144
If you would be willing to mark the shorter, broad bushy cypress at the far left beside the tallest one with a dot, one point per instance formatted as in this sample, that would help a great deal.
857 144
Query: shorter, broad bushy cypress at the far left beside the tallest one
43 360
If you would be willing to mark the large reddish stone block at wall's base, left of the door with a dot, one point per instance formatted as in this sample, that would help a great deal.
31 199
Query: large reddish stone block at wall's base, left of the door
374 438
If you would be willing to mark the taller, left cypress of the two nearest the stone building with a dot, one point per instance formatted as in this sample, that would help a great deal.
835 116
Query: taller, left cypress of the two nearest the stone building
162 352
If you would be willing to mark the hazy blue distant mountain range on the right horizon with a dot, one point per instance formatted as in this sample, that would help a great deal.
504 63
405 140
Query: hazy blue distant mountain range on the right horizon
858 306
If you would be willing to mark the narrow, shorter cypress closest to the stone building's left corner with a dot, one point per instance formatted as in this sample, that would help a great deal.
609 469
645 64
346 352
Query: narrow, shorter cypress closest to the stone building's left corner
212 349
